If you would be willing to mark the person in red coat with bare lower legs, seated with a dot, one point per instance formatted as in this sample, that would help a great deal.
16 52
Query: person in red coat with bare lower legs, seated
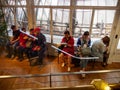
68 43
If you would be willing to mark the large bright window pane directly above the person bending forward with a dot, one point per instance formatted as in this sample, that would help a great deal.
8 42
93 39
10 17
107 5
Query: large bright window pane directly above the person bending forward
102 24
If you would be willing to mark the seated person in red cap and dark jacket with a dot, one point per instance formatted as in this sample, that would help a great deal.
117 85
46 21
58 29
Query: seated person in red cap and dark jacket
39 46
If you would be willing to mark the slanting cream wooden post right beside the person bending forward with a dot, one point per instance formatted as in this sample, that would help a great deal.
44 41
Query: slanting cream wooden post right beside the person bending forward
113 40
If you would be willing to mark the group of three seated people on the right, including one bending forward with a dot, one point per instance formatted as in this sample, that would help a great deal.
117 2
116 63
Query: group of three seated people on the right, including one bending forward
85 49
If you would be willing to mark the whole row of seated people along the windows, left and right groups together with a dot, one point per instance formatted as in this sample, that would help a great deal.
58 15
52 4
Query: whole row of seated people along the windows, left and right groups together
34 44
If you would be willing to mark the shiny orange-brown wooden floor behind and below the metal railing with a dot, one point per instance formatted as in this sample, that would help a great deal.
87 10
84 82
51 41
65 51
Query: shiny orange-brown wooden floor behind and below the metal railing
15 67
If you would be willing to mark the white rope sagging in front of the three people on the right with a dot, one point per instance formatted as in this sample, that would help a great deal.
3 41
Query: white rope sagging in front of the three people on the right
73 55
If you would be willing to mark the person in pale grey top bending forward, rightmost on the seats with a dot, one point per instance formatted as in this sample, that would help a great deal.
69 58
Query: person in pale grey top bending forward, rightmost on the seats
99 49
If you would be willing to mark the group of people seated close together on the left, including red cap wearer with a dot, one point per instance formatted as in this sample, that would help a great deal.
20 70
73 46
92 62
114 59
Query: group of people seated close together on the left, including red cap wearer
33 44
